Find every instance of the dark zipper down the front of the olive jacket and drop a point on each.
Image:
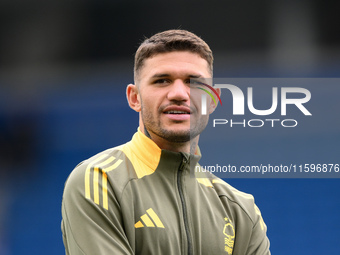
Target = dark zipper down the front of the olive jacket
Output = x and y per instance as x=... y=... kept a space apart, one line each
x=185 y=161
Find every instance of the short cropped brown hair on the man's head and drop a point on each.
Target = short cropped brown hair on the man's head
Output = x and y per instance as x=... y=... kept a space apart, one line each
x=169 y=41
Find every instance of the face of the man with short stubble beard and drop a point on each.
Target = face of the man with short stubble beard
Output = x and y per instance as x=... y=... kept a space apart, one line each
x=171 y=110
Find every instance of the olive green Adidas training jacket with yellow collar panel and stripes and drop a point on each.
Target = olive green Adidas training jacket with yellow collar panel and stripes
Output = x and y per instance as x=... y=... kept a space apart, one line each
x=139 y=199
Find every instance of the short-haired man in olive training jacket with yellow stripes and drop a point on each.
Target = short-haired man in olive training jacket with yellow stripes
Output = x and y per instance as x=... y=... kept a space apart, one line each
x=142 y=197
